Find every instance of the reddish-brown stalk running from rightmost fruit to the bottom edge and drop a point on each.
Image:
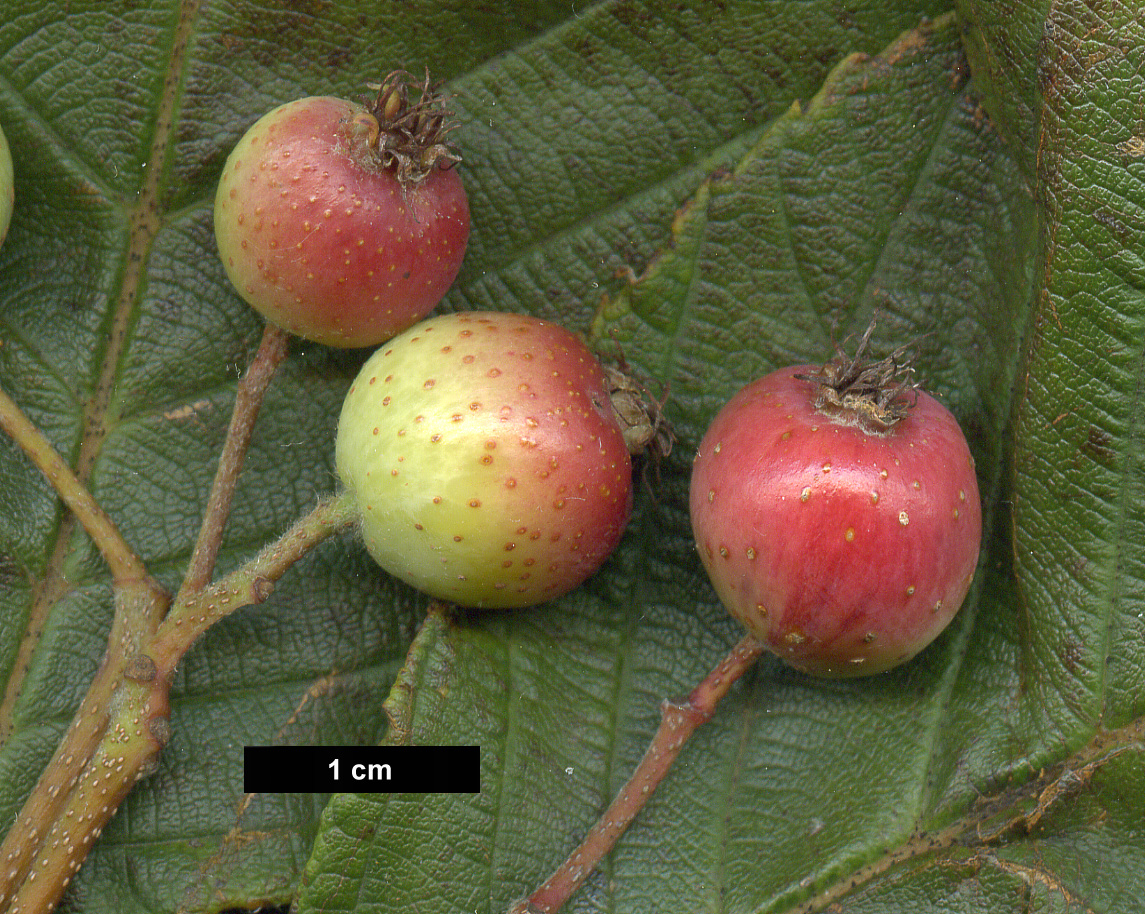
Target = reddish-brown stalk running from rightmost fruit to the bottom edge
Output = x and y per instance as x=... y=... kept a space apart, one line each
x=678 y=723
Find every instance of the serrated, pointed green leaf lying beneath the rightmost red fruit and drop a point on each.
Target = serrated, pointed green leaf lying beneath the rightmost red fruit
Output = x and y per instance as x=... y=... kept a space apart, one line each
x=891 y=191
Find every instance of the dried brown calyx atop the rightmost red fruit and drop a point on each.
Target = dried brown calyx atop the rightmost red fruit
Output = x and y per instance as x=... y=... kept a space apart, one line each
x=871 y=395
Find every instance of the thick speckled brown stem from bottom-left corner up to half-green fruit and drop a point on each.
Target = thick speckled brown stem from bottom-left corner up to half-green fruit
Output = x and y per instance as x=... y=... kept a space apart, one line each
x=122 y=724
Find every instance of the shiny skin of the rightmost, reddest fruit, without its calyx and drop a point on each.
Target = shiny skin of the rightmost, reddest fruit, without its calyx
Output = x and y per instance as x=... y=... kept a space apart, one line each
x=846 y=553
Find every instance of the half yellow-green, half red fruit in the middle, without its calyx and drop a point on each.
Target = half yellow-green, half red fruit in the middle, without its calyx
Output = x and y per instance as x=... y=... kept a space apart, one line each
x=486 y=461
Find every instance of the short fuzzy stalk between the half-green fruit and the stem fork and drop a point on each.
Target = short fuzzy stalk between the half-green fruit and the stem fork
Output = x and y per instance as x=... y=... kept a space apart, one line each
x=250 y=585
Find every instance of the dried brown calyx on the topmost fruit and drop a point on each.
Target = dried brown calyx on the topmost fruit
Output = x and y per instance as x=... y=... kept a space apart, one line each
x=409 y=136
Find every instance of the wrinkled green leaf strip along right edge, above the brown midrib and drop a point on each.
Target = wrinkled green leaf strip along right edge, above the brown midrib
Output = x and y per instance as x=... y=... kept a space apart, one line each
x=1079 y=431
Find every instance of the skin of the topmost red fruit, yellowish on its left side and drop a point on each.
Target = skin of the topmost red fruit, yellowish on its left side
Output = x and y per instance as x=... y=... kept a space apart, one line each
x=322 y=241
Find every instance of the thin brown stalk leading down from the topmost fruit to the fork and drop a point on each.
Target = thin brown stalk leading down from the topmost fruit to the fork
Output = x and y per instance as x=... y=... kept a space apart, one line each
x=252 y=389
